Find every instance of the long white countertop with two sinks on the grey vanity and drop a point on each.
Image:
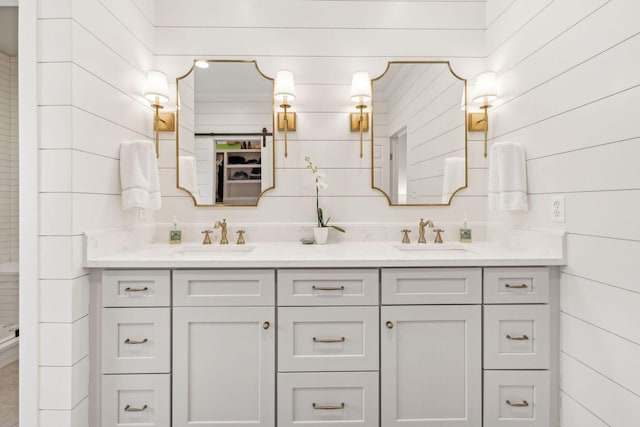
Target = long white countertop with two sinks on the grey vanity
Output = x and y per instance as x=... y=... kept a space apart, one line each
x=342 y=254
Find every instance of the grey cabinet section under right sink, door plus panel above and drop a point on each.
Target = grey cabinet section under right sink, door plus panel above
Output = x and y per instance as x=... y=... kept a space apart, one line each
x=431 y=353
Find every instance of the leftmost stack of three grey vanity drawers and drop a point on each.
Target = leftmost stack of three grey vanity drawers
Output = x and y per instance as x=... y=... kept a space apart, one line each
x=136 y=351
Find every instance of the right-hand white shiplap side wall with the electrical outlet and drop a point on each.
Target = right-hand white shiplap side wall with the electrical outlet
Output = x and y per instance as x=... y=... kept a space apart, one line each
x=569 y=73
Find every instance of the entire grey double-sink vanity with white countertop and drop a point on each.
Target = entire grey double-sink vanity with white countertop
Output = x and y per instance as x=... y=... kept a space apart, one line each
x=284 y=334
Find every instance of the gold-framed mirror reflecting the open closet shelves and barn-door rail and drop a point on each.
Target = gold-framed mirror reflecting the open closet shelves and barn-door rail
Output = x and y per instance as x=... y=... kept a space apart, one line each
x=225 y=153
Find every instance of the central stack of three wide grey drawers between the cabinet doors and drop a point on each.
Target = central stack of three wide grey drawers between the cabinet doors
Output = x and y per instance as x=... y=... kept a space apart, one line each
x=328 y=353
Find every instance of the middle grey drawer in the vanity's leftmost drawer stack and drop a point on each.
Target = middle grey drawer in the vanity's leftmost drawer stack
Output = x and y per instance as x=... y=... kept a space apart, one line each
x=136 y=340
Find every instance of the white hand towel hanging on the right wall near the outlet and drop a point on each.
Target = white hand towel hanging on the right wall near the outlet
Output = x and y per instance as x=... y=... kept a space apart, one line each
x=507 y=177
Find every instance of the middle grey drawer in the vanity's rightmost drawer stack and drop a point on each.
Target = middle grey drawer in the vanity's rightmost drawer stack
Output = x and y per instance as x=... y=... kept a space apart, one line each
x=516 y=337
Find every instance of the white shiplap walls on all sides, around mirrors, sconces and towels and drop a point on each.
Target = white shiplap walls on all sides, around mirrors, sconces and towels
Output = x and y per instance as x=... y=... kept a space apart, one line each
x=559 y=82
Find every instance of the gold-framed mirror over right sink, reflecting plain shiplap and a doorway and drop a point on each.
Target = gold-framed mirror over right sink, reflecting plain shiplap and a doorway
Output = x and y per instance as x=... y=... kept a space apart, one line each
x=419 y=138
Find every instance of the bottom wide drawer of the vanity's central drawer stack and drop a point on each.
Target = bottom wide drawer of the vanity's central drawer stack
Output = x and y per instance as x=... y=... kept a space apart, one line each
x=328 y=399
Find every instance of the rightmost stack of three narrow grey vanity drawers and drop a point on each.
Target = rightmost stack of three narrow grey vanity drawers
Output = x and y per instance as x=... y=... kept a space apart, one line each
x=517 y=347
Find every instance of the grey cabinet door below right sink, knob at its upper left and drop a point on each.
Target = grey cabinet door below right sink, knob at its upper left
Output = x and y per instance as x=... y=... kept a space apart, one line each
x=431 y=366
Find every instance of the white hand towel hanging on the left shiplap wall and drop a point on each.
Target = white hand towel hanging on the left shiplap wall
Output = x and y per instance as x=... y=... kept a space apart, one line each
x=139 y=178
